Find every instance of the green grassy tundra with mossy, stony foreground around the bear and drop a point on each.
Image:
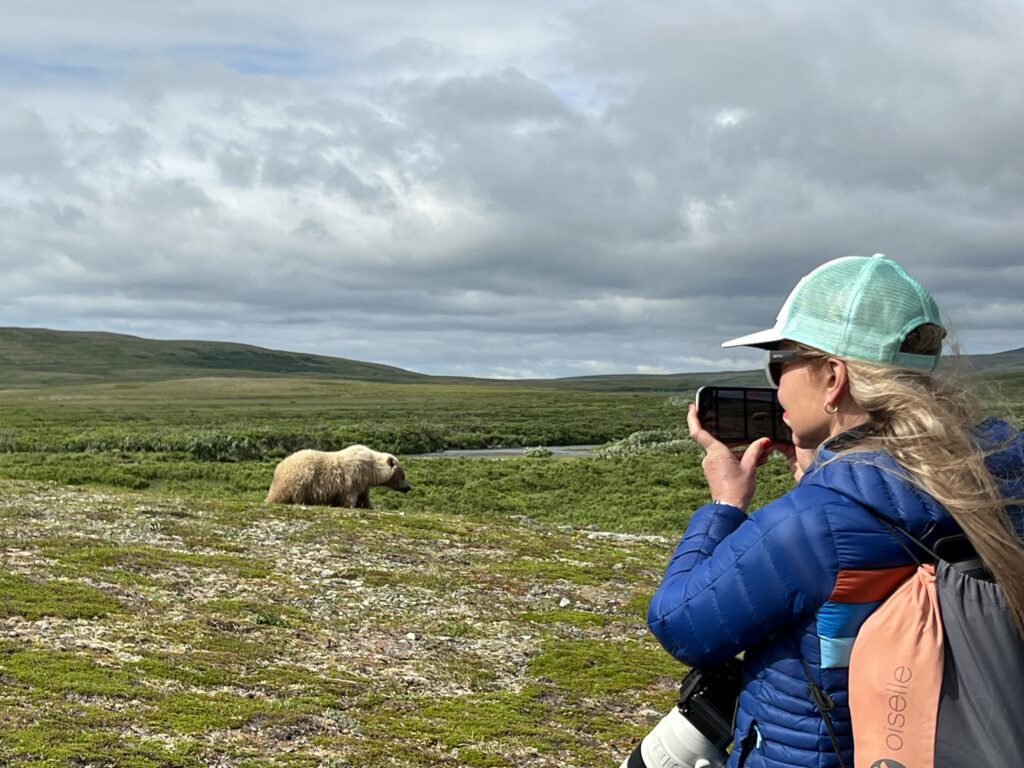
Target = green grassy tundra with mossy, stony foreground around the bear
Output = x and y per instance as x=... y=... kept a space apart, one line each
x=155 y=612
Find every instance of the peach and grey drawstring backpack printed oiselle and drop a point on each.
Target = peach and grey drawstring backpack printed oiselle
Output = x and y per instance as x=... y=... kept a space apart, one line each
x=937 y=672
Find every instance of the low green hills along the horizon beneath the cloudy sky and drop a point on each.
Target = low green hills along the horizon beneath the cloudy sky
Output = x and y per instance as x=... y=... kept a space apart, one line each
x=35 y=357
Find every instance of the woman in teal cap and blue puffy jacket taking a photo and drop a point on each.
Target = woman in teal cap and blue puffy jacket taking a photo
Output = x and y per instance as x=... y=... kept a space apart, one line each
x=877 y=437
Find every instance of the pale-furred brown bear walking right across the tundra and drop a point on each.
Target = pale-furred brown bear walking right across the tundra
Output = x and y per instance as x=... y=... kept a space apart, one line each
x=338 y=479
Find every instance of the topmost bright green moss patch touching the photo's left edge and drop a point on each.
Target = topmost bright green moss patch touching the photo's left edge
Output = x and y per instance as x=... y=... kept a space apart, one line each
x=33 y=600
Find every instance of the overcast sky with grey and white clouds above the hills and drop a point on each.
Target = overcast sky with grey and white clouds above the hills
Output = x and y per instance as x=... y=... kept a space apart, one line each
x=530 y=189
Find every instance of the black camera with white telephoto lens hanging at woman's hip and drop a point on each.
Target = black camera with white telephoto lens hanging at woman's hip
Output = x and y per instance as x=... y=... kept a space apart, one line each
x=699 y=729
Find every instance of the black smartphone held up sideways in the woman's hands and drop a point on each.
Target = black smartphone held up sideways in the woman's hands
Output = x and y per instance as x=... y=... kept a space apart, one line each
x=742 y=414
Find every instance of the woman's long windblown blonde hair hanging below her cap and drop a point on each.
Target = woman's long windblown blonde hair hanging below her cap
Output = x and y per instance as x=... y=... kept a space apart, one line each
x=925 y=422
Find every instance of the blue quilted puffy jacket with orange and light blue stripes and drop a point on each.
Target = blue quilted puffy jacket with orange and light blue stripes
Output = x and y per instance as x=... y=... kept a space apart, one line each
x=792 y=583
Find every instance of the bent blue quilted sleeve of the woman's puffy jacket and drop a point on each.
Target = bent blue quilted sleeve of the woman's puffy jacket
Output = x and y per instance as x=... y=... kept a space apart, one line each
x=735 y=580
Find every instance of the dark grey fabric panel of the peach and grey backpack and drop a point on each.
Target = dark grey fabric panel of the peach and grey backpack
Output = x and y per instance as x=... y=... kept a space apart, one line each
x=982 y=704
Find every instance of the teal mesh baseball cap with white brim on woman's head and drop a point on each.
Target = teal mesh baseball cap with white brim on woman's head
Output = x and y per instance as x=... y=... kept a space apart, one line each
x=862 y=308
